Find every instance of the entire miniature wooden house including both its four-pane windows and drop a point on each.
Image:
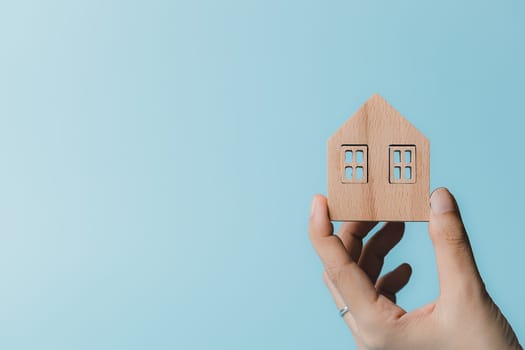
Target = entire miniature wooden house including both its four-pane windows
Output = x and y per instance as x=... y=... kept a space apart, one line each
x=378 y=167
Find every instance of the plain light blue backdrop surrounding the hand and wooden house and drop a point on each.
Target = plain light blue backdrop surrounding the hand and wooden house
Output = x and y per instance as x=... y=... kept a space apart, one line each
x=158 y=159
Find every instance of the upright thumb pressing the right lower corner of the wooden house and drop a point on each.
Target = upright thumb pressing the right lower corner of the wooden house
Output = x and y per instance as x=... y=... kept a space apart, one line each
x=457 y=269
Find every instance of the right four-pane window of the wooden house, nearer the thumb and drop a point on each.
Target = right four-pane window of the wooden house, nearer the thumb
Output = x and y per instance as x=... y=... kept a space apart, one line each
x=402 y=164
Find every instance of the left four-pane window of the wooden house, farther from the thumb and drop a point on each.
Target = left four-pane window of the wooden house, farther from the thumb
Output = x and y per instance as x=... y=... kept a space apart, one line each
x=354 y=163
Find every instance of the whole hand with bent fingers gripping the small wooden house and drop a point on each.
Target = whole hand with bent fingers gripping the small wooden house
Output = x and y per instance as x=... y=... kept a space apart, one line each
x=463 y=316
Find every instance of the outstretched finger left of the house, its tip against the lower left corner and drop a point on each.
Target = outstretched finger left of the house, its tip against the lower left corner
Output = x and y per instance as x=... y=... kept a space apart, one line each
x=353 y=284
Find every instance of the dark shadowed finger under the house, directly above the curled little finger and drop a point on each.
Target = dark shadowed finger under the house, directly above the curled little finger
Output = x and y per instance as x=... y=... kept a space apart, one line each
x=378 y=246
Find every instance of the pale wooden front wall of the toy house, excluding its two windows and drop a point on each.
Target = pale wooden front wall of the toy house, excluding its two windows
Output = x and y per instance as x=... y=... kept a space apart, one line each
x=378 y=125
